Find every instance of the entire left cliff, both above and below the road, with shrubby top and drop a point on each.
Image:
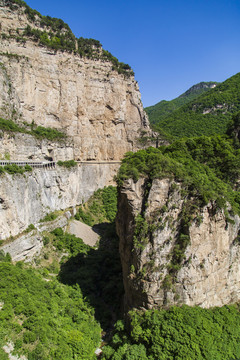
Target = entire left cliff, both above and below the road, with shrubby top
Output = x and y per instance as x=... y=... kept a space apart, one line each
x=74 y=87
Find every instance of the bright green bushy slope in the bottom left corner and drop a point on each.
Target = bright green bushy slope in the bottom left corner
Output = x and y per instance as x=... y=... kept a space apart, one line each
x=44 y=320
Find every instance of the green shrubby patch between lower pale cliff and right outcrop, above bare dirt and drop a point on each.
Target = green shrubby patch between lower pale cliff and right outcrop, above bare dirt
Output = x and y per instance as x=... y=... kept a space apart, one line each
x=102 y=206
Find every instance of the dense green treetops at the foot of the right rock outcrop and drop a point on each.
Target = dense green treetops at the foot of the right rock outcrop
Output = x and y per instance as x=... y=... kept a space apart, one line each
x=190 y=333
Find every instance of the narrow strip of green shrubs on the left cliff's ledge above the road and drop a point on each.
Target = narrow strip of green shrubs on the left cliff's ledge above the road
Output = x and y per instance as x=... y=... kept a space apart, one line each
x=37 y=131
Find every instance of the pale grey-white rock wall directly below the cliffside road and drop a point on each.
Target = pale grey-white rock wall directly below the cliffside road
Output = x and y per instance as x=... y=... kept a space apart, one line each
x=25 y=199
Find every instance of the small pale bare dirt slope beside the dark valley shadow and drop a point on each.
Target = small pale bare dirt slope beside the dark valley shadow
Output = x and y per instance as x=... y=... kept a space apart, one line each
x=83 y=231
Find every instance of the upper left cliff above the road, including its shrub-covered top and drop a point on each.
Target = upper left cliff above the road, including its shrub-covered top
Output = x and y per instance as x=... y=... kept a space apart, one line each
x=51 y=79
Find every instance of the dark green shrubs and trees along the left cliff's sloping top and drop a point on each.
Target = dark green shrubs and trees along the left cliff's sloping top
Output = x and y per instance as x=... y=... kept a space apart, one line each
x=57 y=35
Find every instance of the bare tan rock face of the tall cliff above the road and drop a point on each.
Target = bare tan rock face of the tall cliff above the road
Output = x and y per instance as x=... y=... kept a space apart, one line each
x=99 y=109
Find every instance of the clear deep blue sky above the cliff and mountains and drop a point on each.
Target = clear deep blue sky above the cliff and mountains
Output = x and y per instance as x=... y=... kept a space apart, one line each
x=170 y=44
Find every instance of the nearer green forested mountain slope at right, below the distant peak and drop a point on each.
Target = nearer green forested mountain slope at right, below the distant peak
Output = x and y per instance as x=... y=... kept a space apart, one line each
x=207 y=114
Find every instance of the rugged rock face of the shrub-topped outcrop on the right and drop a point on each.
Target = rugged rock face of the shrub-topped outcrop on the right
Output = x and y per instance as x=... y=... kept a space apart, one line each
x=165 y=263
